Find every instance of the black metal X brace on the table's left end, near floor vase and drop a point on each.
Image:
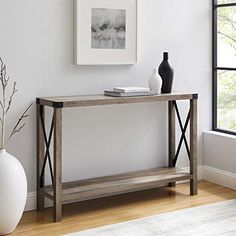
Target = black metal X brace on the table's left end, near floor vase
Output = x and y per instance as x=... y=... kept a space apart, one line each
x=47 y=153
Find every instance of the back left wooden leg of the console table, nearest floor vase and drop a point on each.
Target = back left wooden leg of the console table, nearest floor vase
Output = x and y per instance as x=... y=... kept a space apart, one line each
x=40 y=157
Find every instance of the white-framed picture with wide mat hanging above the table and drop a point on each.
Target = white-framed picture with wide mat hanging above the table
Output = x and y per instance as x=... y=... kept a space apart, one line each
x=105 y=32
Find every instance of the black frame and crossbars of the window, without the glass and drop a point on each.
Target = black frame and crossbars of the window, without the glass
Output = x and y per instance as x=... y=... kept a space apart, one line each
x=215 y=6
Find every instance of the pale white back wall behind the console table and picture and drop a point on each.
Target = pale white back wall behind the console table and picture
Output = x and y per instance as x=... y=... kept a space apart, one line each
x=36 y=42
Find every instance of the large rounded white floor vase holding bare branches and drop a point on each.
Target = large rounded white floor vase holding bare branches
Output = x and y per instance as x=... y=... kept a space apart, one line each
x=13 y=191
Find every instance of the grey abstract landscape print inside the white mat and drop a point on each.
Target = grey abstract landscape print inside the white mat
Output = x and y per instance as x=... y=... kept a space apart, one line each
x=108 y=29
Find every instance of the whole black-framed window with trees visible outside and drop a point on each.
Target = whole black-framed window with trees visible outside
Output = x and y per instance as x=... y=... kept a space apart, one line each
x=224 y=65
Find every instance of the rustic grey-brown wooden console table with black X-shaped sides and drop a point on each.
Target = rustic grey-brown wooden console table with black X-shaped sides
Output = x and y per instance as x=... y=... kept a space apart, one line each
x=62 y=193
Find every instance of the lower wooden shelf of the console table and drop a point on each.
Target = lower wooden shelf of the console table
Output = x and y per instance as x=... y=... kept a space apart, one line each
x=118 y=184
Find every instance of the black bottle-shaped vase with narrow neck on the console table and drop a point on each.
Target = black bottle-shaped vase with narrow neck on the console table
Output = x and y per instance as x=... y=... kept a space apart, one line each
x=167 y=74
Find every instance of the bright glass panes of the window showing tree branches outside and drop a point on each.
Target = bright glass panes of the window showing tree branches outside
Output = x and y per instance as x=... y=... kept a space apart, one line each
x=226 y=58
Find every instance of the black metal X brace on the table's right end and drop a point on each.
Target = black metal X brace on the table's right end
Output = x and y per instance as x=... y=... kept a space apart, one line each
x=183 y=135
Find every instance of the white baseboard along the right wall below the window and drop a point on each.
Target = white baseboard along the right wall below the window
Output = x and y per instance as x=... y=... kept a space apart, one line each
x=219 y=177
